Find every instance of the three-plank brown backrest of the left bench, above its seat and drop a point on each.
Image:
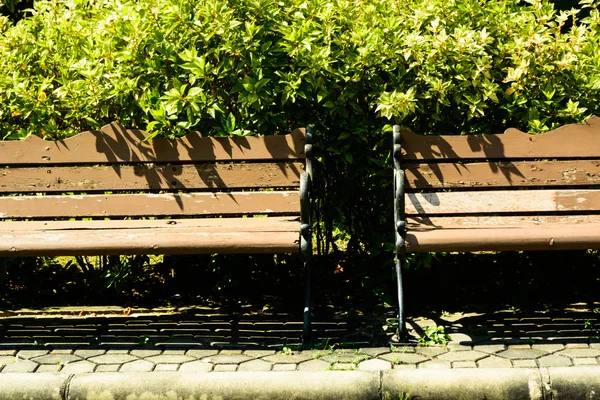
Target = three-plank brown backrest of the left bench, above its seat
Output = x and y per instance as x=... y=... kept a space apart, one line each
x=115 y=173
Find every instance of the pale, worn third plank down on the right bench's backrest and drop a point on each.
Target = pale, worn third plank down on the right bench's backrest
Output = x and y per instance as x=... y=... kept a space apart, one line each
x=505 y=201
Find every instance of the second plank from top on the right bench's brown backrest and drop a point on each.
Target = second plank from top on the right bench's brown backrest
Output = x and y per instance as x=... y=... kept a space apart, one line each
x=502 y=174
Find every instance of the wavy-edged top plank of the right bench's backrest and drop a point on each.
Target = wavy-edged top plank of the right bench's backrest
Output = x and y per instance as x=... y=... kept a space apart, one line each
x=575 y=140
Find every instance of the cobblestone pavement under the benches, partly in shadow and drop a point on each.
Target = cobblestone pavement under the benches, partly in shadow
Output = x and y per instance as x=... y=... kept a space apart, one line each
x=205 y=340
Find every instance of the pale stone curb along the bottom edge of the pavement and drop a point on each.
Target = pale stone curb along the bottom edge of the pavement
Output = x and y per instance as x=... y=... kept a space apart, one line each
x=523 y=383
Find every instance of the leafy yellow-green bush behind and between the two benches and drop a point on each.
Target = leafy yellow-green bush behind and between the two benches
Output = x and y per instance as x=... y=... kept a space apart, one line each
x=350 y=67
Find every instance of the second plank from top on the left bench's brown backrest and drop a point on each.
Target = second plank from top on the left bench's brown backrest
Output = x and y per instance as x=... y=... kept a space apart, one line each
x=149 y=177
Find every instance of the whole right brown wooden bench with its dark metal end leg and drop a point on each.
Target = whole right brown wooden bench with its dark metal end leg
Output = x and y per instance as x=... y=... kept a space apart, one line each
x=511 y=191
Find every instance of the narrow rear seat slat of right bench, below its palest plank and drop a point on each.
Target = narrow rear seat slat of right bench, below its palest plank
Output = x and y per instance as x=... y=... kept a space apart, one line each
x=423 y=223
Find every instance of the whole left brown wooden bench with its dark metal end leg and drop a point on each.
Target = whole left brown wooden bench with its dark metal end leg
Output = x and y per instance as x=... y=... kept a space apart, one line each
x=109 y=192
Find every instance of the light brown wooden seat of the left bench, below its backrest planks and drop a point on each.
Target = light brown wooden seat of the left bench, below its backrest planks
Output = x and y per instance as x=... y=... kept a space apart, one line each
x=171 y=236
